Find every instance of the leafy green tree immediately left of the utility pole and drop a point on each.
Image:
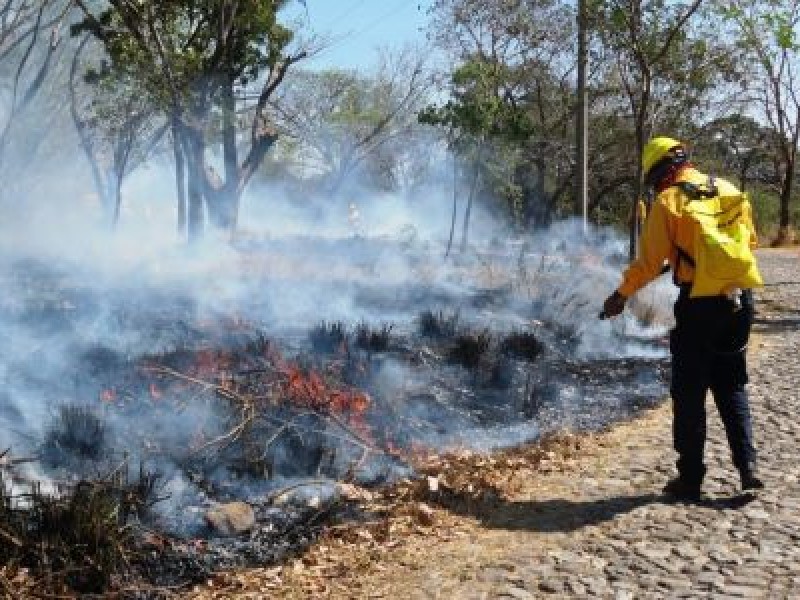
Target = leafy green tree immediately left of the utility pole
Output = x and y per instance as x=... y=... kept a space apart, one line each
x=512 y=94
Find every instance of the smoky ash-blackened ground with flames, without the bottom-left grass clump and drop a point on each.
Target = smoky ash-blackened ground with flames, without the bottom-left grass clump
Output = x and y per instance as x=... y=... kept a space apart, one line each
x=264 y=381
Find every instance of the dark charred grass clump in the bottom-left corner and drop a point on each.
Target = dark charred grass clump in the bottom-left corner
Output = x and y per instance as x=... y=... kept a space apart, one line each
x=78 y=540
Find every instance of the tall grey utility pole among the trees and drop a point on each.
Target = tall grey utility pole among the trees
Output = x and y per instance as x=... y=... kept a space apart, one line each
x=582 y=121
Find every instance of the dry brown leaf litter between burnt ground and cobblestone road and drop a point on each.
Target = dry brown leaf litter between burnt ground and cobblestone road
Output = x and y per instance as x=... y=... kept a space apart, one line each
x=448 y=500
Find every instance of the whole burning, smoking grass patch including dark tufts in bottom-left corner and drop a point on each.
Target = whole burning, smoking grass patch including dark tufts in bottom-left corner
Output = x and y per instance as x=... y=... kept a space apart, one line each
x=245 y=440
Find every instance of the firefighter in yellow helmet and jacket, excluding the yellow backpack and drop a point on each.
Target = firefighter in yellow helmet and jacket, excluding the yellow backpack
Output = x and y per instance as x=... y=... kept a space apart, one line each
x=708 y=343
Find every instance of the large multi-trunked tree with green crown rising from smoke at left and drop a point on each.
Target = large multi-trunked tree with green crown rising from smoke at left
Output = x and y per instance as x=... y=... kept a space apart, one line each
x=211 y=66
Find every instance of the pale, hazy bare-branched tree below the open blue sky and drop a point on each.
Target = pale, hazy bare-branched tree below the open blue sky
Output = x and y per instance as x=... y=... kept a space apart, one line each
x=343 y=122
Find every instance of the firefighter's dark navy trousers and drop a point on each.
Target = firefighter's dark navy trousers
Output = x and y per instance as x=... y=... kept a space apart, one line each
x=708 y=347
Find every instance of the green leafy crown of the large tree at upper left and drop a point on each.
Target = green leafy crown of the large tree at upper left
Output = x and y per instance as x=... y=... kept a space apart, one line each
x=184 y=52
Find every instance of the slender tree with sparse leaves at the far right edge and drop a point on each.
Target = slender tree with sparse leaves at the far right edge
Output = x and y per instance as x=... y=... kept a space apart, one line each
x=768 y=32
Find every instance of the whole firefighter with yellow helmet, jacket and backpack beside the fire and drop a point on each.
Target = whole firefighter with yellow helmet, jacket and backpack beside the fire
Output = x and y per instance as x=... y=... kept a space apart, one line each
x=702 y=226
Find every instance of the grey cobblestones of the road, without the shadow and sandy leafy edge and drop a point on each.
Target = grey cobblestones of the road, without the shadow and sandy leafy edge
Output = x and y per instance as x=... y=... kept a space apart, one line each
x=728 y=546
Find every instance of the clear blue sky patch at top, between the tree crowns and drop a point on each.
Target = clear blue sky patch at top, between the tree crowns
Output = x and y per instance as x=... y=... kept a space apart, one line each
x=359 y=28
